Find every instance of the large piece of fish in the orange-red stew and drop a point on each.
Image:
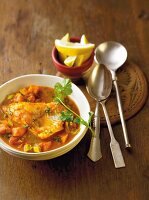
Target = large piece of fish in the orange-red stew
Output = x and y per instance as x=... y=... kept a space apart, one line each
x=42 y=119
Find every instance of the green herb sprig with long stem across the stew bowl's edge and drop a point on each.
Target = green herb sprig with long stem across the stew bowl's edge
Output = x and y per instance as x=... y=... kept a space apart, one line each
x=61 y=92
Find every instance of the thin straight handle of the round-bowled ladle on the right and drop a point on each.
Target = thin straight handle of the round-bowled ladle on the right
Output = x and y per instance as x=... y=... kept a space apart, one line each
x=127 y=144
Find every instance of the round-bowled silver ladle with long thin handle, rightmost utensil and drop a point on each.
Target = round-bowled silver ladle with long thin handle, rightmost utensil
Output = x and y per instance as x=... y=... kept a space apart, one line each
x=113 y=55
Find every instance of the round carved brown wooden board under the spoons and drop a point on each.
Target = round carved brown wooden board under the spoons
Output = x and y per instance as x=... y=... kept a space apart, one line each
x=133 y=91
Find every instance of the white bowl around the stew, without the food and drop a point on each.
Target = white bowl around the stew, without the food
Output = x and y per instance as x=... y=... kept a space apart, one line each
x=49 y=81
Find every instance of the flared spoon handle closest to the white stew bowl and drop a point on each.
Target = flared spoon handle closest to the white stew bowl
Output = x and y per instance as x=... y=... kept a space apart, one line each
x=95 y=149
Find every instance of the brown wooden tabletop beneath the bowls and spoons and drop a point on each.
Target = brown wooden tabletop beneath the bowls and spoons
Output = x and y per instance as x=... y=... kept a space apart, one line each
x=28 y=29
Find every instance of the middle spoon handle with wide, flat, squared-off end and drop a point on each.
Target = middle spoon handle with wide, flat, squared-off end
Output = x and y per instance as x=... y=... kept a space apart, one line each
x=114 y=145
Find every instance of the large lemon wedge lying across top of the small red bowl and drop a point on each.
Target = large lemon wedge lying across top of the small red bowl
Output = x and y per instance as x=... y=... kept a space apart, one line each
x=73 y=49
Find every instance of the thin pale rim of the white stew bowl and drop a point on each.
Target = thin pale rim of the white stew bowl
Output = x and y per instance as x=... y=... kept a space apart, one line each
x=68 y=145
